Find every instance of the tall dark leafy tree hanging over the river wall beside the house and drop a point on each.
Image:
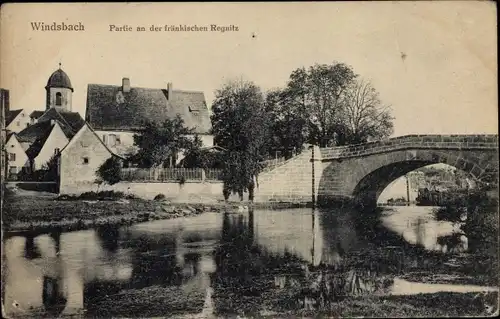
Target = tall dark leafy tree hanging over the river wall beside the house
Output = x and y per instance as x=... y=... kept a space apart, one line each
x=240 y=124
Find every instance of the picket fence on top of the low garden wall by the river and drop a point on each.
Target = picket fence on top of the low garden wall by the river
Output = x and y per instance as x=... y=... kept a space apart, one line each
x=170 y=174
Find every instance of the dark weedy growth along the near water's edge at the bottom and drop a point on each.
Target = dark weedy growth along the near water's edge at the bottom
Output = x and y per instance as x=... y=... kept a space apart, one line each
x=160 y=301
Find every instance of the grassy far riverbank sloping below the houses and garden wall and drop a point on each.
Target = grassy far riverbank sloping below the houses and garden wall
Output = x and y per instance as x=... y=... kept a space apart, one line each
x=32 y=213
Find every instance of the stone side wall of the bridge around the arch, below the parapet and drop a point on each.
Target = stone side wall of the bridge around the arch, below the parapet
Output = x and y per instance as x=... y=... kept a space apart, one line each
x=346 y=177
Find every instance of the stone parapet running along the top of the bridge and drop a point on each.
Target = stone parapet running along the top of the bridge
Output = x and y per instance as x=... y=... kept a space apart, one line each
x=469 y=142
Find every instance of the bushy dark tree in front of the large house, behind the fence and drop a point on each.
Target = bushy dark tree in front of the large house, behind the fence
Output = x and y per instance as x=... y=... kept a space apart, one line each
x=159 y=144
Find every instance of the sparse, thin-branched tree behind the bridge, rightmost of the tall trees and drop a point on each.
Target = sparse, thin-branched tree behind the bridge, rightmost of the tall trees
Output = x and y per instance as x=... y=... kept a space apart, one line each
x=363 y=116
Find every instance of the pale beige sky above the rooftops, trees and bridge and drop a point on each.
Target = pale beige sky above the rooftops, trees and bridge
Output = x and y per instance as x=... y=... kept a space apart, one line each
x=434 y=63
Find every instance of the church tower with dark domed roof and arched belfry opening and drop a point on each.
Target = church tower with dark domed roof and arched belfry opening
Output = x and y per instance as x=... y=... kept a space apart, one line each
x=59 y=91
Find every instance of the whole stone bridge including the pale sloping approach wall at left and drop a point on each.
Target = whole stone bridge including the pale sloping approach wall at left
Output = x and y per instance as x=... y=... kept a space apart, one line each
x=361 y=172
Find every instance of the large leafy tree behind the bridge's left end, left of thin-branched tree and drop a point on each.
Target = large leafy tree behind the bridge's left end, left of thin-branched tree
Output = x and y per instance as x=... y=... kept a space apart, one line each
x=316 y=95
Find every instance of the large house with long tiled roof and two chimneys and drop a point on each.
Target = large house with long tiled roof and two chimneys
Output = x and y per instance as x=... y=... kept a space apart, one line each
x=117 y=112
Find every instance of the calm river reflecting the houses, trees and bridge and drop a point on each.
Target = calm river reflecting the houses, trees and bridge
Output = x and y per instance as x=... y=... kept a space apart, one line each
x=214 y=263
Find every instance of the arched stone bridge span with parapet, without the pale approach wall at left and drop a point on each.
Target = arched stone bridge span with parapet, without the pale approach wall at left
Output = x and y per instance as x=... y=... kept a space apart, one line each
x=362 y=172
